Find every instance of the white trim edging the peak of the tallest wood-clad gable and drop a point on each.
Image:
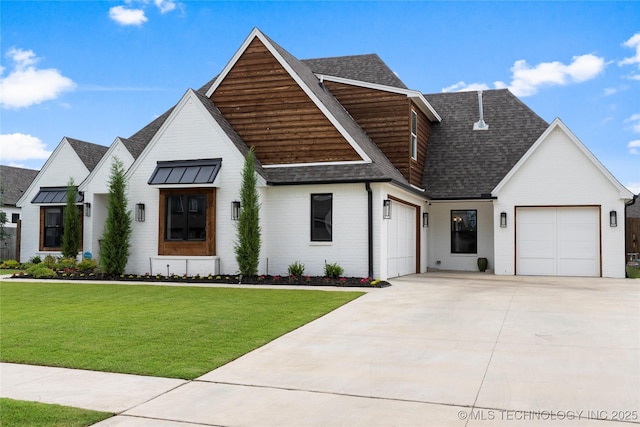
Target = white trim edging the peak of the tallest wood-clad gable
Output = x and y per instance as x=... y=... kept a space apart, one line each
x=257 y=33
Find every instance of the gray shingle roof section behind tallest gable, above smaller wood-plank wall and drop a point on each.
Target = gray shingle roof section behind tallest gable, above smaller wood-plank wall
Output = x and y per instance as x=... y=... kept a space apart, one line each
x=366 y=68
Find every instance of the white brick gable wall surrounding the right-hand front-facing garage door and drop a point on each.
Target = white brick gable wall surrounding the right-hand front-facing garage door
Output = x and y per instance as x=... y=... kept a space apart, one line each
x=559 y=173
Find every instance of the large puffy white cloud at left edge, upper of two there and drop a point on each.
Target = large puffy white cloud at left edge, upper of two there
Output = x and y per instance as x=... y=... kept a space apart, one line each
x=27 y=85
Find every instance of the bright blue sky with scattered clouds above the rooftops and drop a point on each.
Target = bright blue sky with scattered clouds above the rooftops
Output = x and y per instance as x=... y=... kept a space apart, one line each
x=95 y=70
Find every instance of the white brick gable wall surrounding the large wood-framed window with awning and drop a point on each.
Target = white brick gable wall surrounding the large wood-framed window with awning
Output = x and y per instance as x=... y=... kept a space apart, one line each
x=190 y=133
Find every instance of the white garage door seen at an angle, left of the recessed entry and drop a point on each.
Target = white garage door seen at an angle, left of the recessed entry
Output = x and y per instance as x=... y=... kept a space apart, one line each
x=401 y=249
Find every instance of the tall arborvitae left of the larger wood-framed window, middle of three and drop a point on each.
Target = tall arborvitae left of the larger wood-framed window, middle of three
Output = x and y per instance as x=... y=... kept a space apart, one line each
x=115 y=245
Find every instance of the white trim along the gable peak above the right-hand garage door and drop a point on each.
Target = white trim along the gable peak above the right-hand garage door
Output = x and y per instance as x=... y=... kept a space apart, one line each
x=557 y=123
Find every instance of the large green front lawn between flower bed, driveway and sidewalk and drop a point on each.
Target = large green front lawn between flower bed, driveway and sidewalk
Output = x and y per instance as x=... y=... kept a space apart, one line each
x=176 y=332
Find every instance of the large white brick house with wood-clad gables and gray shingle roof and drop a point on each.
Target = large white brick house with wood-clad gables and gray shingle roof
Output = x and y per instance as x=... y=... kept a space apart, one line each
x=356 y=168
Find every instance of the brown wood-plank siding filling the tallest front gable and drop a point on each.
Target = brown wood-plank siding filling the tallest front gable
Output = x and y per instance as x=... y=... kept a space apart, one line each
x=271 y=112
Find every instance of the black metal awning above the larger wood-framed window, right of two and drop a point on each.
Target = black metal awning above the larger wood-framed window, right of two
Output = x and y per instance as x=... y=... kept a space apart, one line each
x=186 y=172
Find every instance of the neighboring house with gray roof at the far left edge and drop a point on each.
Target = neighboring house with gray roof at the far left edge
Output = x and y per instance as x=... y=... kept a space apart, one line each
x=13 y=182
